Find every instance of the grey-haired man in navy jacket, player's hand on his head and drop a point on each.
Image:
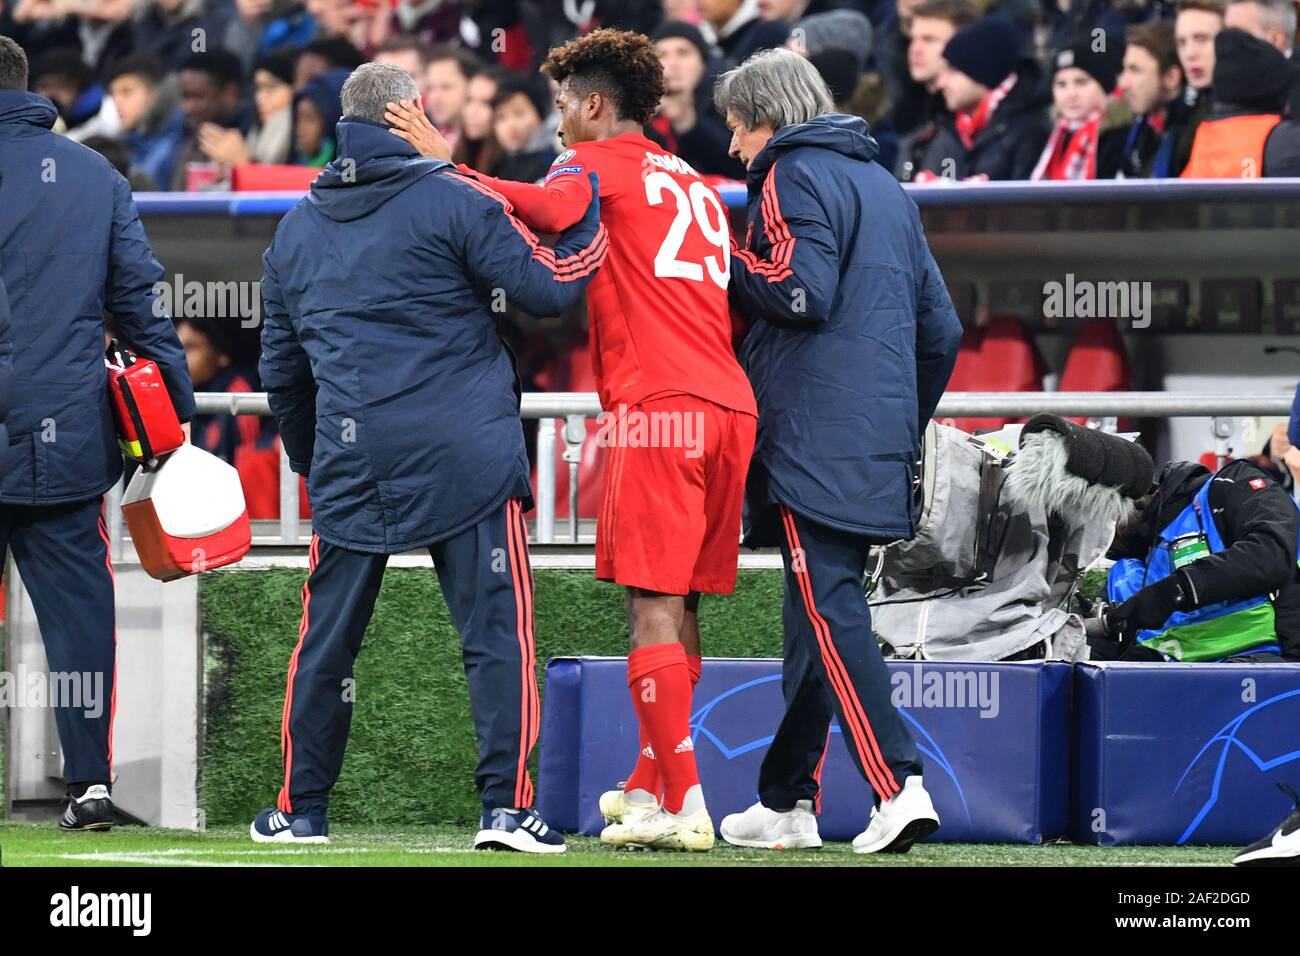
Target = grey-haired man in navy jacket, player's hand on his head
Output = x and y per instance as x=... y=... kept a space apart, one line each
x=398 y=401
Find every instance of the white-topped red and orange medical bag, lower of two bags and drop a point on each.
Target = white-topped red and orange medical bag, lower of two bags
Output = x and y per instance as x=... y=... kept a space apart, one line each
x=188 y=514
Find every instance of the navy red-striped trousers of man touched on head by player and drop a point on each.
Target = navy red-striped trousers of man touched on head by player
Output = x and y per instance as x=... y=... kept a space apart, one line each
x=488 y=583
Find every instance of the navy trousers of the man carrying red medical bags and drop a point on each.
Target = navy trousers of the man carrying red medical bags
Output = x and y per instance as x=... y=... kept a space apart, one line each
x=62 y=552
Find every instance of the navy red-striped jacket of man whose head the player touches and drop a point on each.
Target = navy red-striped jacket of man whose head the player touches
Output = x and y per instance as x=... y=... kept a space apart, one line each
x=392 y=388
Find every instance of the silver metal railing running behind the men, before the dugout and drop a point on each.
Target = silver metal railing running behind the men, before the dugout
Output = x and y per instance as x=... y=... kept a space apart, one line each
x=577 y=408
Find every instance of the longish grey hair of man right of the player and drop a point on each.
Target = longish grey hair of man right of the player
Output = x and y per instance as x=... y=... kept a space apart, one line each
x=777 y=88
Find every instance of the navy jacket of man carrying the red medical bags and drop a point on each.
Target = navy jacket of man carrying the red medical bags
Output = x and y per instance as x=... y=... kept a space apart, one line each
x=72 y=253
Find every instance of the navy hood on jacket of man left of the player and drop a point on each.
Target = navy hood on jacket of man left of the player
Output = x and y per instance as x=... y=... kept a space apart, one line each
x=371 y=168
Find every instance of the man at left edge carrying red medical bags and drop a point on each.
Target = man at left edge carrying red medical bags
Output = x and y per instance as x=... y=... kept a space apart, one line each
x=72 y=248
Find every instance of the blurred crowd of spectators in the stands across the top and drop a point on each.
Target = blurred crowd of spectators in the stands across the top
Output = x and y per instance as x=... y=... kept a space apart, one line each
x=179 y=93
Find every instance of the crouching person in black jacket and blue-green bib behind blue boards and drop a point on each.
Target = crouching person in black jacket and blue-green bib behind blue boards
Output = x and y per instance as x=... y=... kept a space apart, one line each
x=1207 y=570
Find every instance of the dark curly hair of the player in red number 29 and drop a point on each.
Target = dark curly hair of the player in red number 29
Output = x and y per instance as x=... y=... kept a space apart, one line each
x=619 y=64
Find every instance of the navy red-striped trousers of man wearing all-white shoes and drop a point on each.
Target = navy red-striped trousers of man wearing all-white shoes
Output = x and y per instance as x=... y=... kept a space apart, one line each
x=833 y=668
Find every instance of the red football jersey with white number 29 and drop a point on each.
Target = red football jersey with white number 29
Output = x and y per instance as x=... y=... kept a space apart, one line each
x=657 y=309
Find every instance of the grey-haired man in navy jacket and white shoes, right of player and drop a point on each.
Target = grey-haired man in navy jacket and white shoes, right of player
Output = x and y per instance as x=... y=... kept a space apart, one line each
x=852 y=344
